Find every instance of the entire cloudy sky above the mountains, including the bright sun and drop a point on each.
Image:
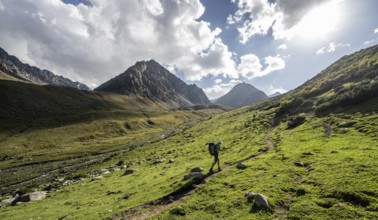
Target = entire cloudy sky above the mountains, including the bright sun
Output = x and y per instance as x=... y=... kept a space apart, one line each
x=275 y=45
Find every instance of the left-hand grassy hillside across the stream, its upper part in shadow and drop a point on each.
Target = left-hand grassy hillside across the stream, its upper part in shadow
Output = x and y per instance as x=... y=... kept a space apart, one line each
x=46 y=129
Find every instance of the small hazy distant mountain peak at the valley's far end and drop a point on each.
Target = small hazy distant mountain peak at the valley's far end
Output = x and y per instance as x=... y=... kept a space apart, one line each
x=242 y=94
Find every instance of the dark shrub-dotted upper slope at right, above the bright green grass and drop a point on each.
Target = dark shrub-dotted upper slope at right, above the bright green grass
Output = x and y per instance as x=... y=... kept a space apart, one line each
x=349 y=81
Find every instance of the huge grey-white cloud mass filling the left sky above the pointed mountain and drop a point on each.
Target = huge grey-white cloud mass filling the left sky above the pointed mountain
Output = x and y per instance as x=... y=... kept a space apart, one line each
x=92 y=43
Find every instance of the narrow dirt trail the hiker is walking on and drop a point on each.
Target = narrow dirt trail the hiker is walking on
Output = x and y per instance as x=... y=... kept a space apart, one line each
x=160 y=205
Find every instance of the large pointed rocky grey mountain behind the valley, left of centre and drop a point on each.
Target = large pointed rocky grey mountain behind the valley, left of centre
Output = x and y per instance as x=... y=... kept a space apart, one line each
x=149 y=79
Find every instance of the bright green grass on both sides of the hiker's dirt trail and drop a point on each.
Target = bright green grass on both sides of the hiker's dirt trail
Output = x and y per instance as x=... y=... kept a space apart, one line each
x=339 y=181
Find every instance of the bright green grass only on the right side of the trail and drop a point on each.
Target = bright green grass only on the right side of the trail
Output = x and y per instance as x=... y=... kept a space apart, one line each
x=340 y=180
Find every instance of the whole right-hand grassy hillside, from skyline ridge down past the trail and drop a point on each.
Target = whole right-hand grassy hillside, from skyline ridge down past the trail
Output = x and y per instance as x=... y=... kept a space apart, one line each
x=309 y=163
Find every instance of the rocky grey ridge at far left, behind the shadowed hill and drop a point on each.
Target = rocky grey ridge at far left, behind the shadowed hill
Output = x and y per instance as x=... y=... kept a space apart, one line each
x=12 y=66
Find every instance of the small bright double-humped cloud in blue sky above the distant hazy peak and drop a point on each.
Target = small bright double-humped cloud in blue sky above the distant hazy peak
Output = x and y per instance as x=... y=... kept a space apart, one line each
x=250 y=66
